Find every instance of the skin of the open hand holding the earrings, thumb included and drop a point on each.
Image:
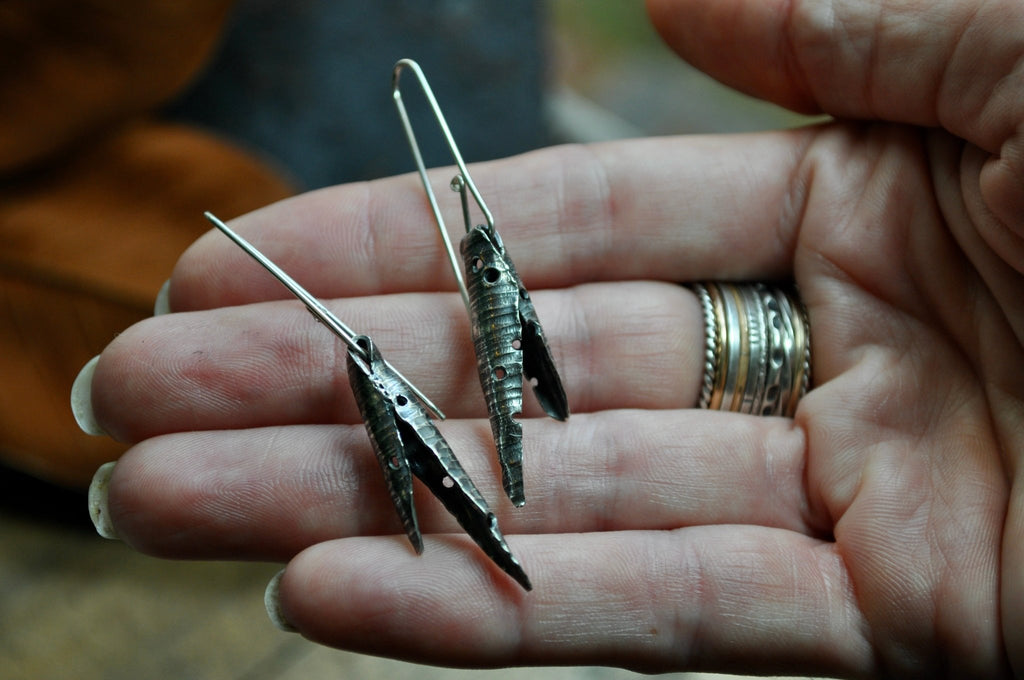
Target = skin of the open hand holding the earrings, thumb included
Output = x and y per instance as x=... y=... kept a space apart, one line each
x=880 y=533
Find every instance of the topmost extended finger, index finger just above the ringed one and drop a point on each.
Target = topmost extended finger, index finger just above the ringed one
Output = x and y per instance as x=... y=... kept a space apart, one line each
x=671 y=210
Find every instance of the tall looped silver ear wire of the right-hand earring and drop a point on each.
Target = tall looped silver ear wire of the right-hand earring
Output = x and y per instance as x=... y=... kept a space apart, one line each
x=461 y=183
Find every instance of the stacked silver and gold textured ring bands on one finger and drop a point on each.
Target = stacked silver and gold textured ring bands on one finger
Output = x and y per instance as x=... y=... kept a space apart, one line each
x=758 y=349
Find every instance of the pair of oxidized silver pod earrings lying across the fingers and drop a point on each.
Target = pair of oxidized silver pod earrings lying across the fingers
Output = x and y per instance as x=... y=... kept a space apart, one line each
x=510 y=347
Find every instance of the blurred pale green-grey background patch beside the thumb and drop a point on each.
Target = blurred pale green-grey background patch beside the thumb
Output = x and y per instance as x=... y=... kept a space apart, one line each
x=611 y=75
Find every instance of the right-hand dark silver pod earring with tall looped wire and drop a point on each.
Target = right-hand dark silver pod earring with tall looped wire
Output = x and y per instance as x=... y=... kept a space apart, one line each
x=507 y=336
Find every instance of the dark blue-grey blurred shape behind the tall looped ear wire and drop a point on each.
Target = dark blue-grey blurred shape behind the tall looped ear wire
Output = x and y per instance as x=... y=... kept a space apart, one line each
x=307 y=83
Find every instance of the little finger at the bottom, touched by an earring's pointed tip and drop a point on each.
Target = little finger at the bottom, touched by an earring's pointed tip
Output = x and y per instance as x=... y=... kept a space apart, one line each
x=703 y=599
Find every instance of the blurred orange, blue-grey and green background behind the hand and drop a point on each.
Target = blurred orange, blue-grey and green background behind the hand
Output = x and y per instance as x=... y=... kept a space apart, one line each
x=118 y=127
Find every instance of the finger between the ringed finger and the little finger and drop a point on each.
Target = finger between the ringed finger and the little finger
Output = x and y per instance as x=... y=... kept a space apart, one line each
x=269 y=493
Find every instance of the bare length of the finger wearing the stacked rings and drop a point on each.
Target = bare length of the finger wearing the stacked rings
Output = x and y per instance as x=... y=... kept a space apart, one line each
x=626 y=346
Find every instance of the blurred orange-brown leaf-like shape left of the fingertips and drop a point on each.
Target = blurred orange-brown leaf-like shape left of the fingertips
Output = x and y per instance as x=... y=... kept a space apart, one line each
x=97 y=199
